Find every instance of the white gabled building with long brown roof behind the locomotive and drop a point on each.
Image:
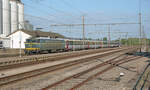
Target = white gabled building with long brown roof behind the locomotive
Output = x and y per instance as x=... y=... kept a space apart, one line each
x=22 y=35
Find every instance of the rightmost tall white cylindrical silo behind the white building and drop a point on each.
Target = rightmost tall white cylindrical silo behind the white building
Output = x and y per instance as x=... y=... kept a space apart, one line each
x=21 y=15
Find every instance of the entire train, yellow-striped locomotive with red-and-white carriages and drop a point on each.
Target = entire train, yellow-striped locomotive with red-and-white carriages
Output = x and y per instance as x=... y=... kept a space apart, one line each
x=39 y=45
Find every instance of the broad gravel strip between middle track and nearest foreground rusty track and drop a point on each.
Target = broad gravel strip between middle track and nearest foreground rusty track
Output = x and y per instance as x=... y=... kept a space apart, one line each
x=42 y=81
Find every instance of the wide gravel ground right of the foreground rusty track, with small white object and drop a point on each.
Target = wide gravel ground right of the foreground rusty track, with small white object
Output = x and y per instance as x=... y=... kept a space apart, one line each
x=108 y=81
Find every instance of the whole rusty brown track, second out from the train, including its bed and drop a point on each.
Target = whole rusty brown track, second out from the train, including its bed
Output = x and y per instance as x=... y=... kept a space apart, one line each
x=22 y=76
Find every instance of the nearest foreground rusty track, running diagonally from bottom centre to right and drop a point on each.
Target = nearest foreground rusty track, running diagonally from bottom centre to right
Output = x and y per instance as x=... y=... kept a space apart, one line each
x=82 y=79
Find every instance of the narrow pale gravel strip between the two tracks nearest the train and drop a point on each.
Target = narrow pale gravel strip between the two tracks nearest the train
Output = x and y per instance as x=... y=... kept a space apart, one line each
x=43 y=65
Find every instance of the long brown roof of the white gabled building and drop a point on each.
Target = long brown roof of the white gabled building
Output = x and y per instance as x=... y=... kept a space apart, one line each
x=39 y=33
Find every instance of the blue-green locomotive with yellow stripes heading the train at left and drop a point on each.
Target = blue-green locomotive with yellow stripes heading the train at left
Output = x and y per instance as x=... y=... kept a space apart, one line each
x=39 y=45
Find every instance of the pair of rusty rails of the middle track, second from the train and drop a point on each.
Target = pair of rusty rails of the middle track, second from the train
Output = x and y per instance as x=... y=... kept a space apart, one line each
x=52 y=68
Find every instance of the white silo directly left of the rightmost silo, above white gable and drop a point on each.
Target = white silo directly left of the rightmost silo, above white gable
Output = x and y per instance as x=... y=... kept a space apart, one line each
x=14 y=15
